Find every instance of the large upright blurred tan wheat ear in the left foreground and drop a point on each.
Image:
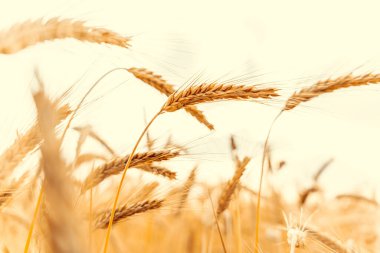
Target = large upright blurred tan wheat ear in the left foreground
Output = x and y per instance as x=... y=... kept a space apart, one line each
x=61 y=227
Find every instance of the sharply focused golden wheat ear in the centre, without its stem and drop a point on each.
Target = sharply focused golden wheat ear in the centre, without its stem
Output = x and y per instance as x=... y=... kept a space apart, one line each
x=215 y=92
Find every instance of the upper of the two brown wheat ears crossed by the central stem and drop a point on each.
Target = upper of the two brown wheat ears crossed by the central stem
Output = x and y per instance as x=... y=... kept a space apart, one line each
x=116 y=166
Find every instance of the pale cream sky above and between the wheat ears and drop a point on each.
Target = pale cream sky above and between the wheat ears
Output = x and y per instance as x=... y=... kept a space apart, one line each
x=287 y=43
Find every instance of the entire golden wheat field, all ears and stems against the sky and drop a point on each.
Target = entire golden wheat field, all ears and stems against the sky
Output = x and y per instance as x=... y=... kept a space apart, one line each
x=142 y=200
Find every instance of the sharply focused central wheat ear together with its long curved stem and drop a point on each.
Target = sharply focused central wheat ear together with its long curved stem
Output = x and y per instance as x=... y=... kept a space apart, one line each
x=191 y=96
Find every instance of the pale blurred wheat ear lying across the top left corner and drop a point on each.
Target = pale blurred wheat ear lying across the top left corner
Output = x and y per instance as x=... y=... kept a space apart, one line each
x=30 y=33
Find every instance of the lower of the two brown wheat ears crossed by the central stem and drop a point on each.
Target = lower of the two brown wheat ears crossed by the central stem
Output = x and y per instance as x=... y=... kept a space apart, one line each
x=126 y=211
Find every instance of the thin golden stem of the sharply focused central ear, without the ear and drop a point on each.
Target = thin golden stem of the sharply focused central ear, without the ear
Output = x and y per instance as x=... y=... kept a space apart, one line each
x=122 y=180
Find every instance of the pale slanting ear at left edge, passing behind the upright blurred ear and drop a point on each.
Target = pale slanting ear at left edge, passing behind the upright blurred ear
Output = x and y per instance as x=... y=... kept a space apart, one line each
x=26 y=143
